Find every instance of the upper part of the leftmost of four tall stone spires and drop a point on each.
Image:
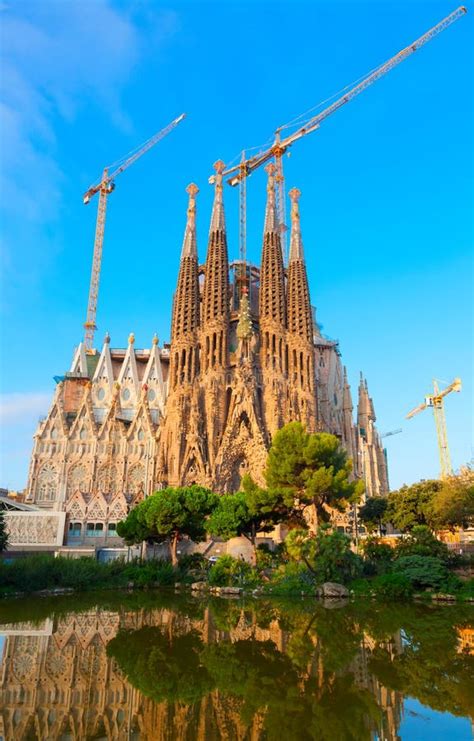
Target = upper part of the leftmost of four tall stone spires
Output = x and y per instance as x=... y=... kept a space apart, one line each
x=184 y=362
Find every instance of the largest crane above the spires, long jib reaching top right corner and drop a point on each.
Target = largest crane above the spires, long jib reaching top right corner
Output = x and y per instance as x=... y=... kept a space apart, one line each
x=277 y=149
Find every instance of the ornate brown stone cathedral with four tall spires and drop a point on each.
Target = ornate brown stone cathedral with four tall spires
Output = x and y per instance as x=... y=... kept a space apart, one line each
x=246 y=356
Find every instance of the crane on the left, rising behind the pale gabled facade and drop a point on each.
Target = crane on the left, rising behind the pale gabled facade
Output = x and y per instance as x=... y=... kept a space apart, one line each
x=104 y=187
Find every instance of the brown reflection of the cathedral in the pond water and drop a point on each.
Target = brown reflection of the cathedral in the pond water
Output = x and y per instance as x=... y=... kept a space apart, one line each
x=58 y=682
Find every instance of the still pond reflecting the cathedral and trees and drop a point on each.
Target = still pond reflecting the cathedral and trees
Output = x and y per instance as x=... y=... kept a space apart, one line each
x=153 y=666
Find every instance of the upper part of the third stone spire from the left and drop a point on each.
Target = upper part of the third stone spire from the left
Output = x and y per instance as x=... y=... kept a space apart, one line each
x=272 y=276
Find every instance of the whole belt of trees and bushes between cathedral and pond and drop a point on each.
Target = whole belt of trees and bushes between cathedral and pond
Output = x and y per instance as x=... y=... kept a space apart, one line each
x=307 y=476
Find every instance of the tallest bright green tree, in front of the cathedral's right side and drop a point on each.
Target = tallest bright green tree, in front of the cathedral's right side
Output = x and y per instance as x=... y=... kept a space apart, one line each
x=310 y=469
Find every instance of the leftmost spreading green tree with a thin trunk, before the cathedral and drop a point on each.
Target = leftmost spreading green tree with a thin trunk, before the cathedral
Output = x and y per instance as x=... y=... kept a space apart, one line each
x=169 y=515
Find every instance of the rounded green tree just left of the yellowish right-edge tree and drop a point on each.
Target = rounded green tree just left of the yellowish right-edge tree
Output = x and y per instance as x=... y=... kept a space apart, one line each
x=412 y=505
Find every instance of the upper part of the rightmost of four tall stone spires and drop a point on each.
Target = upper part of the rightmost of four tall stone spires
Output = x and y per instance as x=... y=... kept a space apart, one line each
x=300 y=317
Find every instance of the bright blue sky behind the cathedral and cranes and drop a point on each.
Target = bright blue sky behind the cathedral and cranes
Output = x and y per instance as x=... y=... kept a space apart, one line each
x=386 y=183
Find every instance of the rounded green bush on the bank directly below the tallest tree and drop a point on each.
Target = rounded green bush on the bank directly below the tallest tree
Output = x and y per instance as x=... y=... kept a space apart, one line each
x=327 y=554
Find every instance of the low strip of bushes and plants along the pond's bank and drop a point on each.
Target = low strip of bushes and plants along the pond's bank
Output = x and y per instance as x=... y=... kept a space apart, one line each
x=321 y=565
